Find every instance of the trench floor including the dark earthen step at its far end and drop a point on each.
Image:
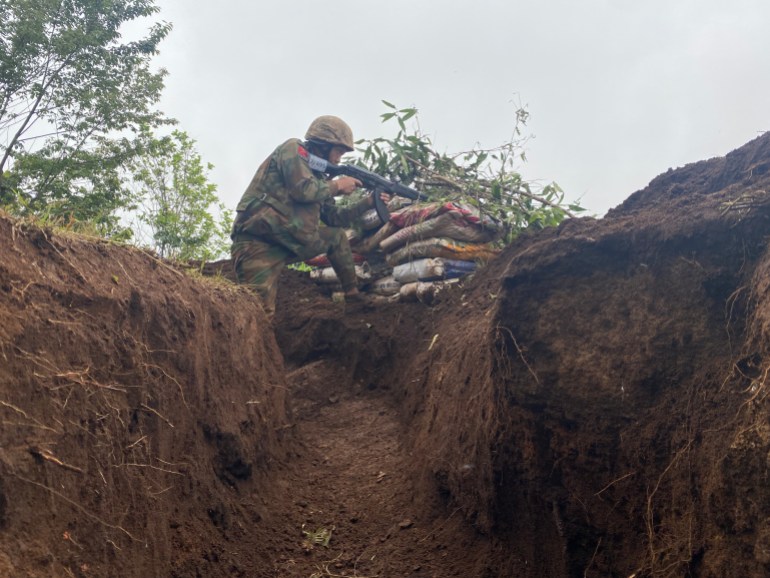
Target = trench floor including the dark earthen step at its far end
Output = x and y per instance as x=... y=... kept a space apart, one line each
x=357 y=479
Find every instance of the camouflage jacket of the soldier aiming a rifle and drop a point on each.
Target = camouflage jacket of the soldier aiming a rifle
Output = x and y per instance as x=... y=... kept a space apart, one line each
x=299 y=199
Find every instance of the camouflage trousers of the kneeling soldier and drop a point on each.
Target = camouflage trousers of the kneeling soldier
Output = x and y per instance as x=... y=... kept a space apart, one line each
x=258 y=262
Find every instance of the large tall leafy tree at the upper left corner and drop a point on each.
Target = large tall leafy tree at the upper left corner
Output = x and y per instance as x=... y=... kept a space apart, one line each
x=68 y=85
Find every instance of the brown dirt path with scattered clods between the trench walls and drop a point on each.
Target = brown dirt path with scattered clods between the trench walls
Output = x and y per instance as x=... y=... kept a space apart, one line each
x=349 y=483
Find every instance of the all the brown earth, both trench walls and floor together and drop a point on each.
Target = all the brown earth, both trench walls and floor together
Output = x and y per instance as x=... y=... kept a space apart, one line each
x=591 y=403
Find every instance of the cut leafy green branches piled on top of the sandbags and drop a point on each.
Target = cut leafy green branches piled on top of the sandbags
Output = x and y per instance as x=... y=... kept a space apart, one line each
x=484 y=178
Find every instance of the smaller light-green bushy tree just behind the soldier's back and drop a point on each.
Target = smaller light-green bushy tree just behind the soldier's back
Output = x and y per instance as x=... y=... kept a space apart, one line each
x=175 y=199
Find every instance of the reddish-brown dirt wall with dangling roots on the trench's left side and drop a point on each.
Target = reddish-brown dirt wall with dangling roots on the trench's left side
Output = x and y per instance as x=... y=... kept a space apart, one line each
x=140 y=411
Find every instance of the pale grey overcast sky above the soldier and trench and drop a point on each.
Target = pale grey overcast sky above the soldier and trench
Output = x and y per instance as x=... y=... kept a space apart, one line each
x=618 y=90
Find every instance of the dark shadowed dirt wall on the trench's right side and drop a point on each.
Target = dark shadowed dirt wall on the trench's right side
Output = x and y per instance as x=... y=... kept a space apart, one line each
x=611 y=419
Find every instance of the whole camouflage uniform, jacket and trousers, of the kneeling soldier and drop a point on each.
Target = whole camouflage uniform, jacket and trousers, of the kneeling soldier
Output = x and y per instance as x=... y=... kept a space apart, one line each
x=287 y=215
